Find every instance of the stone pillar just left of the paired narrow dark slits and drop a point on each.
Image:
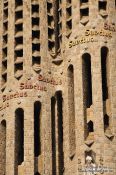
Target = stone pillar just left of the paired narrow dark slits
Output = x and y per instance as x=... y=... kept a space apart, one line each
x=47 y=145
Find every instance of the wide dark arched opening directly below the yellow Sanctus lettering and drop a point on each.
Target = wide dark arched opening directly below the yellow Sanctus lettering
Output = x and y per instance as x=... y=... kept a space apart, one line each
x=87 y=80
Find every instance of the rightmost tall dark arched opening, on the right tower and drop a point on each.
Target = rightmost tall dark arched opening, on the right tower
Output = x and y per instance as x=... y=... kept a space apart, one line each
x=104 y=55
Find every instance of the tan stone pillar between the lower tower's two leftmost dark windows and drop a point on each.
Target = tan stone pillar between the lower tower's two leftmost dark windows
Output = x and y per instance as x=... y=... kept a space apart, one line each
x=10 y=144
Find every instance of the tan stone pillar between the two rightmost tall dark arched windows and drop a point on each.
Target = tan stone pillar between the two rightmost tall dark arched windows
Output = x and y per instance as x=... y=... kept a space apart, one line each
x=97 y=101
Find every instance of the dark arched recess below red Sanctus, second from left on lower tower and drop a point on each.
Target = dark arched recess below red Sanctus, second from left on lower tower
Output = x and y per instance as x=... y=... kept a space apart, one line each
x=19 y=135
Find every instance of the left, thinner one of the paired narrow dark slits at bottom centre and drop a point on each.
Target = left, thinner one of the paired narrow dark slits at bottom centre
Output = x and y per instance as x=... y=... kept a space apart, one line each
x=53 y=131
